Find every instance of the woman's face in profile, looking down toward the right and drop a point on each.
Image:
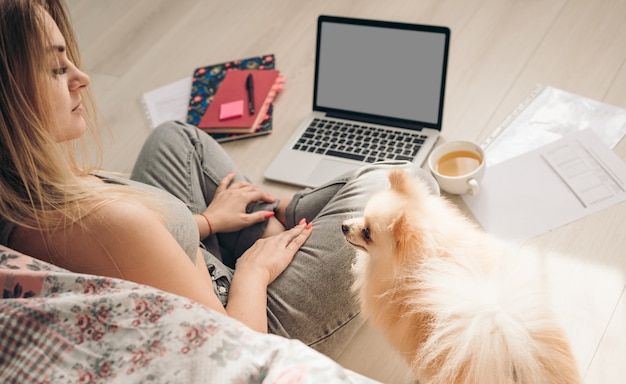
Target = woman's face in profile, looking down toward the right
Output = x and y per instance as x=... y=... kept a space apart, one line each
x=65 y=82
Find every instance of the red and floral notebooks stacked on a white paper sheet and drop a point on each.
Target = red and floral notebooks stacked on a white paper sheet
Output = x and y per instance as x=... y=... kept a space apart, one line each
x=190 y=99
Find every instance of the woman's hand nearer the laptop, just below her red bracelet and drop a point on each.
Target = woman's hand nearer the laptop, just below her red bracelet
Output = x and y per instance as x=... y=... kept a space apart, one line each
x=227 y=210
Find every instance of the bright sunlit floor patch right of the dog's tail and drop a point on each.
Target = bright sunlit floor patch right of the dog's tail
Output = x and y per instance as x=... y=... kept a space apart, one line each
x=584 y=295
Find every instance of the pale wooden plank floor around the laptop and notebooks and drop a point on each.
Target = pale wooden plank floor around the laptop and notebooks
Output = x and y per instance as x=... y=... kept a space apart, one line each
x=500 y=51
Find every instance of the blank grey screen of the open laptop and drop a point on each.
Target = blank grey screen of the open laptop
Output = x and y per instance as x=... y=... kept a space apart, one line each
x=387 y=72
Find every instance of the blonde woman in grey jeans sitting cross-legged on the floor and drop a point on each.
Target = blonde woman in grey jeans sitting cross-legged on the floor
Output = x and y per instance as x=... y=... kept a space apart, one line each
x=293 y=282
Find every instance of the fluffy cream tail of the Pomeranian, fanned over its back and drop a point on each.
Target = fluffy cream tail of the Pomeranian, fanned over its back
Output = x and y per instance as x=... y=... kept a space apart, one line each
x=488 y=329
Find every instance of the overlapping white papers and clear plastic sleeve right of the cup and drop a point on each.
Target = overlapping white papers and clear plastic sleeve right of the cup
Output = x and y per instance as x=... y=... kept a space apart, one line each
x=550 y=163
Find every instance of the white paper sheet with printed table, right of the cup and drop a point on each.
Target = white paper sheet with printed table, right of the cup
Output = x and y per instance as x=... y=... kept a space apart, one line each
x=546 y=188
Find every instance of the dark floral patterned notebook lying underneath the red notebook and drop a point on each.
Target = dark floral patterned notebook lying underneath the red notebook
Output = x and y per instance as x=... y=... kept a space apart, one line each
x=205 y=83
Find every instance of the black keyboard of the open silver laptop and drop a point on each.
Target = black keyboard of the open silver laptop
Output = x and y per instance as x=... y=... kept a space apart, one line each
x=358 y=141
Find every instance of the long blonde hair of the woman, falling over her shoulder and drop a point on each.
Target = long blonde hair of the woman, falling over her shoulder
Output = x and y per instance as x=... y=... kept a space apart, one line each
x=41 y=181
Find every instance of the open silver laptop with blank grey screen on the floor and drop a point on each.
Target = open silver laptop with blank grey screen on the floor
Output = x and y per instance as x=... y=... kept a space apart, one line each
x=379 y=87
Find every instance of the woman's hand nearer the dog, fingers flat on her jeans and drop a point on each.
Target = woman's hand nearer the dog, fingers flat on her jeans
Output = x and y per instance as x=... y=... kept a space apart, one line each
x=269 y=257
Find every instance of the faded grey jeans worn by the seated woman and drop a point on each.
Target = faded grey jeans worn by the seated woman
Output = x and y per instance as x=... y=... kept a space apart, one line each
x=311 y=300
